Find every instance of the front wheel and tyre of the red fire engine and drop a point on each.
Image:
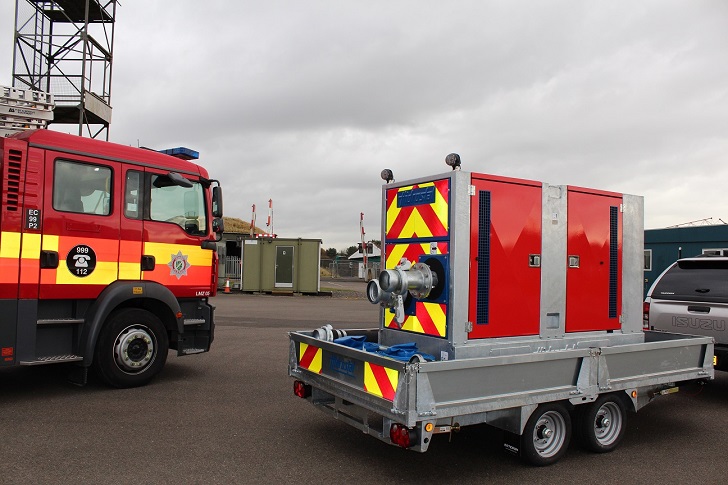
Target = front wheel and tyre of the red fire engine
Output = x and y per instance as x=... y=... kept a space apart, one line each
x=131 y=349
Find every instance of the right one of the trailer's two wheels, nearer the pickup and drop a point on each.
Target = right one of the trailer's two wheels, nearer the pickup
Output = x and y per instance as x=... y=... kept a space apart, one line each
x=601 y=424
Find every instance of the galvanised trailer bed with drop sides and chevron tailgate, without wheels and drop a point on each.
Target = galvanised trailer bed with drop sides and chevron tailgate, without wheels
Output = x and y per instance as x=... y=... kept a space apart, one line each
x=366 y=389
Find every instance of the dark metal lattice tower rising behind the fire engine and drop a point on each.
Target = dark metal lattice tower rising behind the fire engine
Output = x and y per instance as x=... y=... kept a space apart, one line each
x=65 y=47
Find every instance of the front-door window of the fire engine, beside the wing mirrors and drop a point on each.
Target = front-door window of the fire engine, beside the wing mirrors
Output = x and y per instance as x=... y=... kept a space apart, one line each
x=184 y=206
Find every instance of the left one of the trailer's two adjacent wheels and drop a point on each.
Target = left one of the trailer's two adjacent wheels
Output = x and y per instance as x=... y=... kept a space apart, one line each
x=546 y=435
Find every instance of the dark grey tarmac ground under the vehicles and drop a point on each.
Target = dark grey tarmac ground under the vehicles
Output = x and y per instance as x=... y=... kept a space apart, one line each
x=230 y=416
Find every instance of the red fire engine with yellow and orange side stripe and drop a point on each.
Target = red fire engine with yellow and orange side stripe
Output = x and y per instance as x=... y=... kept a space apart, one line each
x=107 y=256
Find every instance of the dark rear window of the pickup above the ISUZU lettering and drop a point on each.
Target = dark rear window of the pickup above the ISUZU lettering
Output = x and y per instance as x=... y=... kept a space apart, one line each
x=695 y=280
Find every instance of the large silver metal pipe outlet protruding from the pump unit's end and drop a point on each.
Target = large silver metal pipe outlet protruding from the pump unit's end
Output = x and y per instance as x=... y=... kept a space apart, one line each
x=393 y=285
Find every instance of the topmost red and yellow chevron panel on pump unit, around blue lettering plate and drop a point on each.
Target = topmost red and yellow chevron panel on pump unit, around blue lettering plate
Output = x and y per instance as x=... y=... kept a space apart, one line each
x=426 y=220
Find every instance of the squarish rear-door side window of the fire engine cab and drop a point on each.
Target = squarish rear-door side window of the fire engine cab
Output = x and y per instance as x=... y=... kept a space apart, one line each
x=81 y=187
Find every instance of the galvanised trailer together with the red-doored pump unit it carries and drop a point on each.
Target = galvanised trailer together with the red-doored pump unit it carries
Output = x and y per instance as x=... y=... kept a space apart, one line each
x=504 y=301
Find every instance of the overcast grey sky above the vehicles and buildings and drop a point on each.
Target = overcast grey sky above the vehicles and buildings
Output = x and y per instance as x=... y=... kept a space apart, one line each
x=305 y=102
